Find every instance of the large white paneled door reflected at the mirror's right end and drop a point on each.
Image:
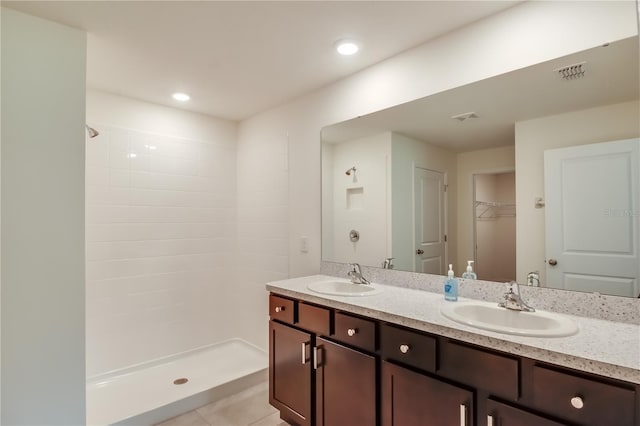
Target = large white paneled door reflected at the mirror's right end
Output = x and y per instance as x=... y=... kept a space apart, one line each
x=593 y=216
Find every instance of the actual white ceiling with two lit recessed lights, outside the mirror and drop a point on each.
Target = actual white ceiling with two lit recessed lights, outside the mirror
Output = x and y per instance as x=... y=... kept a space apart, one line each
x=238 y=58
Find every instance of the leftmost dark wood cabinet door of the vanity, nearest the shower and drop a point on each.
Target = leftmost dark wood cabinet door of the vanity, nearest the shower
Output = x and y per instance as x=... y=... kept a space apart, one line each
x=290 y=373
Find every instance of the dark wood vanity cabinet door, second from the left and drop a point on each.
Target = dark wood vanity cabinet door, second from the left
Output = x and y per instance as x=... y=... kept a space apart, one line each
x=345 y=386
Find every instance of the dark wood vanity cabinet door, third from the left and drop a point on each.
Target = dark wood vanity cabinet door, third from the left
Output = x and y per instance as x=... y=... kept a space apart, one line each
x=413 y=399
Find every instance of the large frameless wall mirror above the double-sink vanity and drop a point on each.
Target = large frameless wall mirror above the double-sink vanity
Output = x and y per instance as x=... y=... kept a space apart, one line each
x=532 y=175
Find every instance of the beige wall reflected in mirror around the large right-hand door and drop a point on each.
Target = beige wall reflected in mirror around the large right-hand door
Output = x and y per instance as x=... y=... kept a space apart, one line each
x=533 y=137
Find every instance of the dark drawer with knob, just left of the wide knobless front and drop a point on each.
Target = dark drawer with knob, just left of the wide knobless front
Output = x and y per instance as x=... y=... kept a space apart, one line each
x=408 y=347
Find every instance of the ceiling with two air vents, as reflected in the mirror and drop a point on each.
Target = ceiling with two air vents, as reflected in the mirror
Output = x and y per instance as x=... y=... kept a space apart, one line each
x=611 y=76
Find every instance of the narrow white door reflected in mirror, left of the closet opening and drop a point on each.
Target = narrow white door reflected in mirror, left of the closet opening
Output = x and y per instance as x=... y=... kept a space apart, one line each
x=429 y=221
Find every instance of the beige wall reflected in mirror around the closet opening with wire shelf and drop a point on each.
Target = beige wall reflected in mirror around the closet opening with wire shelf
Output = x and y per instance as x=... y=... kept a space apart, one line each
x=491 y=160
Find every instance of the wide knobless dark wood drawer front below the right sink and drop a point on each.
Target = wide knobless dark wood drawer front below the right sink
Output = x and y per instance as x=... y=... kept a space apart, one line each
x=482 y=369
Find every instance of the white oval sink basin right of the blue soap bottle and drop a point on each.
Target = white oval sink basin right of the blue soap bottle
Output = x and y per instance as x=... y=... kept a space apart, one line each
x=489 y=316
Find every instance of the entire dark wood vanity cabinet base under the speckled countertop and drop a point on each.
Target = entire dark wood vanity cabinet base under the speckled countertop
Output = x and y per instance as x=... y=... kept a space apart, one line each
x=334 y=368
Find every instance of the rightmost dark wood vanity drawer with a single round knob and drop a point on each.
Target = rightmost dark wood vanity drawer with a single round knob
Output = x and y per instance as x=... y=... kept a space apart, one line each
x=582 y=400
